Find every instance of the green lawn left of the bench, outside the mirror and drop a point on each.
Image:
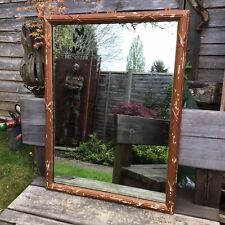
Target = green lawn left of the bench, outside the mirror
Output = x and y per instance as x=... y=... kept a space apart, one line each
x=17 y=170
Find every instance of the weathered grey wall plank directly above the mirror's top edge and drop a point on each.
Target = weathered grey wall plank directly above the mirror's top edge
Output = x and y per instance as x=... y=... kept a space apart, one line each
x=117 y=5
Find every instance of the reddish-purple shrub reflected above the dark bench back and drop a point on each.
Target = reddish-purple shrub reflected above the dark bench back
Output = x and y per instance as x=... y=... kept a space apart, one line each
x=134 y=109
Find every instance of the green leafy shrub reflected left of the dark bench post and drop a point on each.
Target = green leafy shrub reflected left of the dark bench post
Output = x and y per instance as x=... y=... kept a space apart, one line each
x=94 y=151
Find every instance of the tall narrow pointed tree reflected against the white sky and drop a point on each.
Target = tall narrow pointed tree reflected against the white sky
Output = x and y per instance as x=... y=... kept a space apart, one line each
x=135 y=58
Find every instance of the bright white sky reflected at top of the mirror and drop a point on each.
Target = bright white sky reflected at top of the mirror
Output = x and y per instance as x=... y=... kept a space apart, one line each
x=159 y=43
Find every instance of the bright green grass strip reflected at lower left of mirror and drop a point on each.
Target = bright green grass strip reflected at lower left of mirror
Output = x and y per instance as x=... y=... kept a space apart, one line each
x=64 y=169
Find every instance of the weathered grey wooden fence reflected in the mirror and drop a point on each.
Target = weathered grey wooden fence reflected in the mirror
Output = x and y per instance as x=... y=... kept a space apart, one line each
x=113 y=89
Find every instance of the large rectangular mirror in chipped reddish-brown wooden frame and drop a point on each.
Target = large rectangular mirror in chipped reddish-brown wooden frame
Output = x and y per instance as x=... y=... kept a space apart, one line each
x=113 y=104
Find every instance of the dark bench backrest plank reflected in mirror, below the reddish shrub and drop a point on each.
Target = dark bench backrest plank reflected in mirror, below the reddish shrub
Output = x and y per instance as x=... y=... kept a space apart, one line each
x=139 y=130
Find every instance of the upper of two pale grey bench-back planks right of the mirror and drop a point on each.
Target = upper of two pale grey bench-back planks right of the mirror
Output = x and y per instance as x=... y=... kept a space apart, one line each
x=203 y=123
